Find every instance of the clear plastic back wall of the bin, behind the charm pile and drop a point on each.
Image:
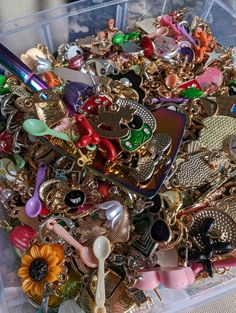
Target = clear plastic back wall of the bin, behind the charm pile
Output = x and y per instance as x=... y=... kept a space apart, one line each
x=86 y=17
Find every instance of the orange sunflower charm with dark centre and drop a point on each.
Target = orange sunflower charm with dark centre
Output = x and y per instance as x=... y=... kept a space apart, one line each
x=40 y=265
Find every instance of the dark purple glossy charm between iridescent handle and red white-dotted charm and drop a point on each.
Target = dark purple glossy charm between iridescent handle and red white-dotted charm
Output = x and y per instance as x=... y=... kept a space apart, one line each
x=75 y=94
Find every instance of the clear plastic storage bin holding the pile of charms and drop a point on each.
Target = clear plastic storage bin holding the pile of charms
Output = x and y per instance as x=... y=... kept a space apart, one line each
x=65 y=23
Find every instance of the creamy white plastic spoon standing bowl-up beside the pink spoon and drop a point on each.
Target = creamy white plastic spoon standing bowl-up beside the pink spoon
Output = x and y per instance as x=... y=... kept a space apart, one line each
x=101 y=249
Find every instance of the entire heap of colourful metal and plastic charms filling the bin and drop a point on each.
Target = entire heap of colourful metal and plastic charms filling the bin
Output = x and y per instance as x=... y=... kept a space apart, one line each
x=116 y=150
